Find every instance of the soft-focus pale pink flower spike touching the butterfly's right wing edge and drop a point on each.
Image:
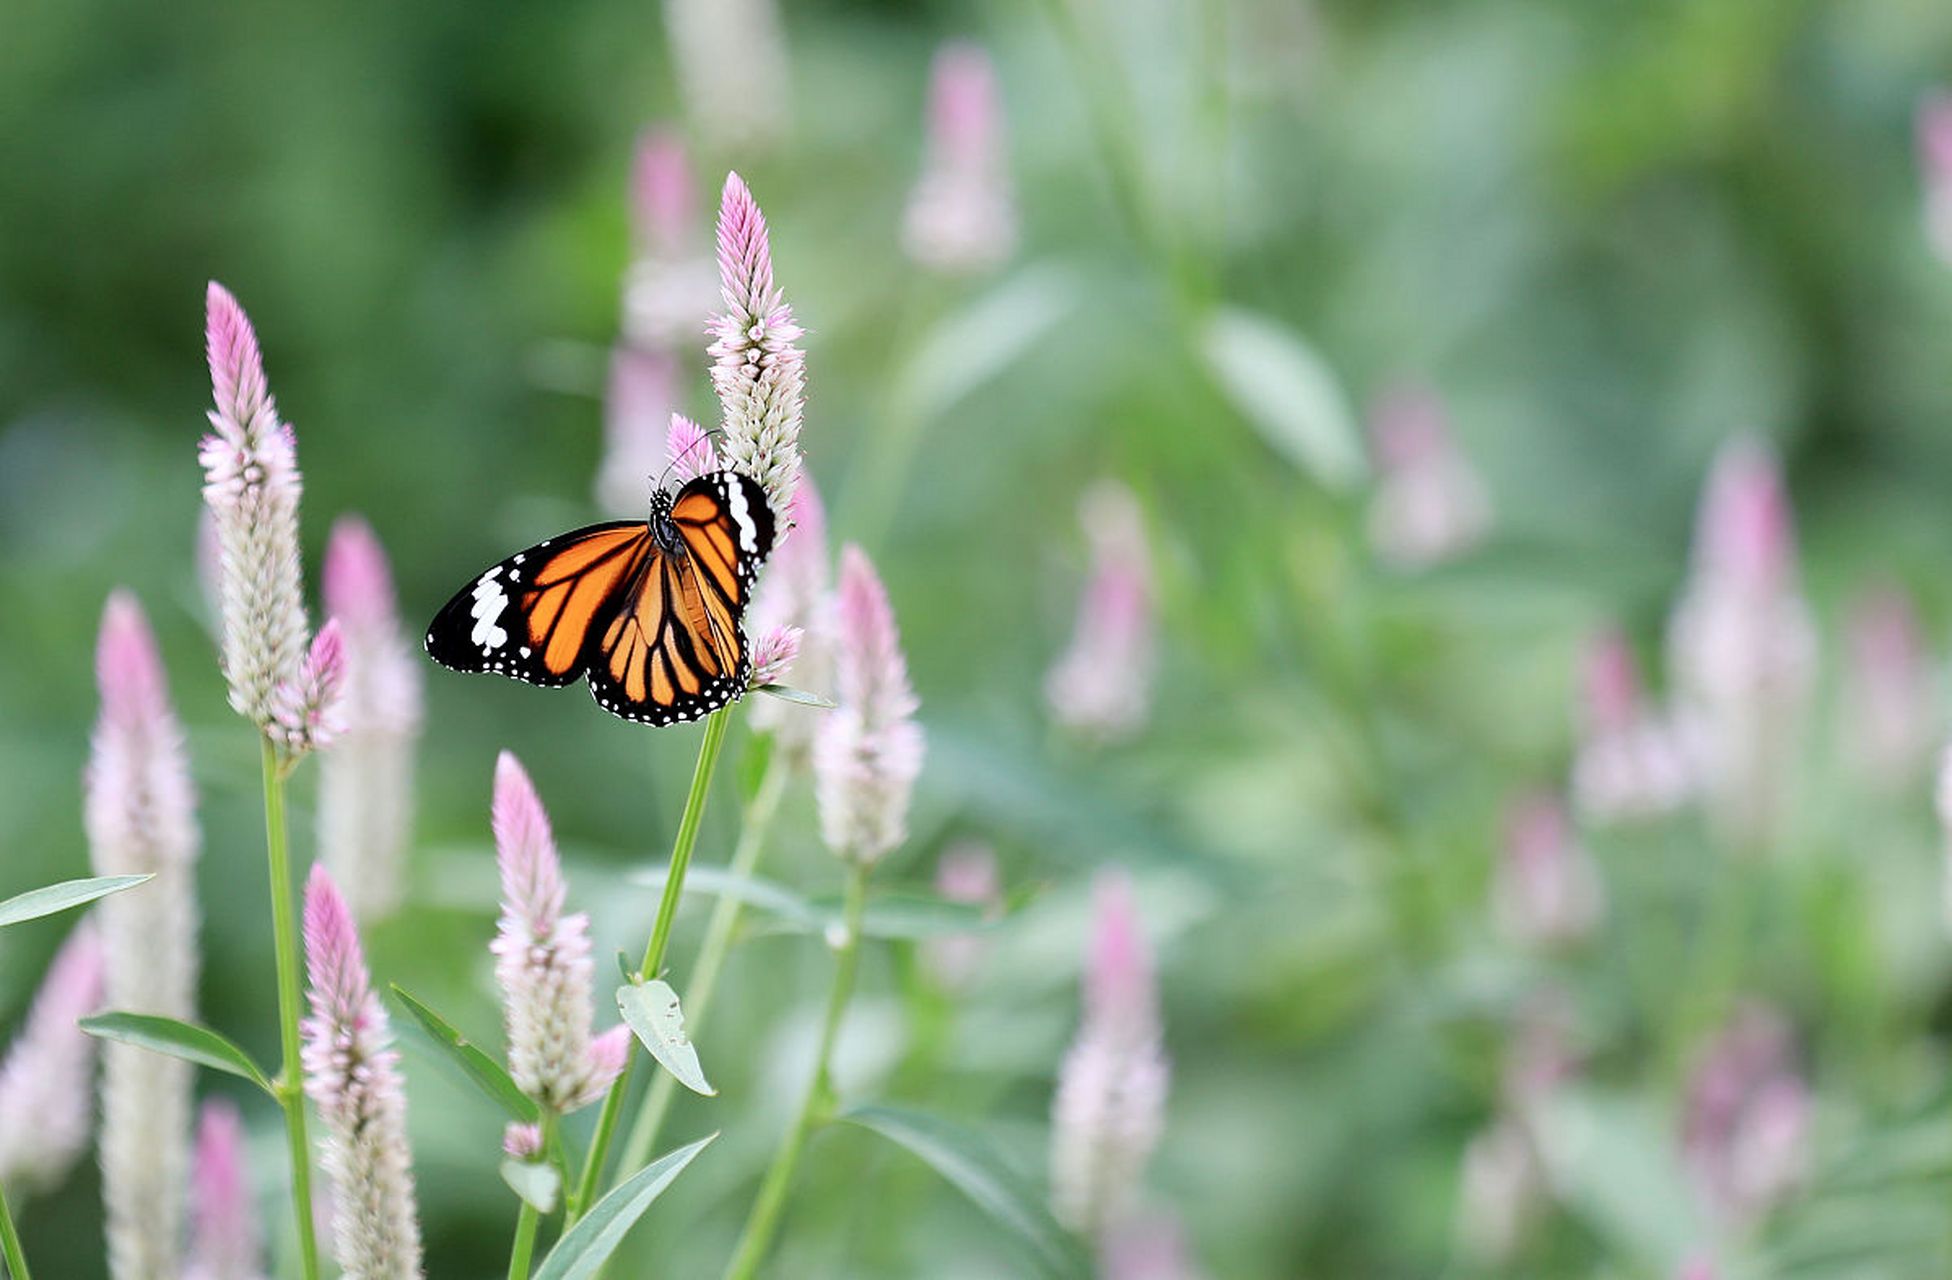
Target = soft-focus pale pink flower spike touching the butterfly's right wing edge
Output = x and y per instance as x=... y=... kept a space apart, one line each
x=793 y=592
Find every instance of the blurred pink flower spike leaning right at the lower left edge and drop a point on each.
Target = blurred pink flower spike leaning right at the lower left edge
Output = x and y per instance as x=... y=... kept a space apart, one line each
x=46 y=1082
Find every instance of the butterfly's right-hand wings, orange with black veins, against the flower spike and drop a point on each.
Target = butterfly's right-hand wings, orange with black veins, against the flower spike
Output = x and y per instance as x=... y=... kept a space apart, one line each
x=678 y=649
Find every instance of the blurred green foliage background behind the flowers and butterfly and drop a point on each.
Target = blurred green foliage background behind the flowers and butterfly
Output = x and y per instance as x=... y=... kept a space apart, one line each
x=1606 y=237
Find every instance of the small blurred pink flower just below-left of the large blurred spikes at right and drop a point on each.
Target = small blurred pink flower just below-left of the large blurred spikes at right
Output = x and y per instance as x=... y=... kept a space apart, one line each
x=1547 y=889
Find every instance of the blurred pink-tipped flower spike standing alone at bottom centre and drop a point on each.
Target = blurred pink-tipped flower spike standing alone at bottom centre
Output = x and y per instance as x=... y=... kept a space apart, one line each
x=1112 y=1090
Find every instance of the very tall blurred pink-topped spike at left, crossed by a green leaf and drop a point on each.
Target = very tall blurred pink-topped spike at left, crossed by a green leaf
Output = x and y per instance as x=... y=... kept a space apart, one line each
x=142 y=820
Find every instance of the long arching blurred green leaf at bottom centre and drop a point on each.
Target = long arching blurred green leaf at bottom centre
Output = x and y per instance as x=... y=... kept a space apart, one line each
x=981 y=1174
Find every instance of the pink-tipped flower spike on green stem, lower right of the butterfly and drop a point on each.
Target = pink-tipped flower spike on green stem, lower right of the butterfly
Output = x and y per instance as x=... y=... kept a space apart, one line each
x=870 y=748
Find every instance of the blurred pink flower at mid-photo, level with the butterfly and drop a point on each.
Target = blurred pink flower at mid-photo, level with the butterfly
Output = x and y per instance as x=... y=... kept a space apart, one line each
x=1102 y=686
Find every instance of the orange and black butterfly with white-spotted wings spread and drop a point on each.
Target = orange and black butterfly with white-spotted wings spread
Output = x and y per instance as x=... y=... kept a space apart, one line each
x=651 y=612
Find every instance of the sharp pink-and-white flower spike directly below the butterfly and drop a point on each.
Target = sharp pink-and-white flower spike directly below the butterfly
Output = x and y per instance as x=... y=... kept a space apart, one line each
x=544 y=959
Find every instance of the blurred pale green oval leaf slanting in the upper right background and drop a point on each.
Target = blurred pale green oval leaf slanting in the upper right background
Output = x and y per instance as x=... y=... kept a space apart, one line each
x=1287 y=391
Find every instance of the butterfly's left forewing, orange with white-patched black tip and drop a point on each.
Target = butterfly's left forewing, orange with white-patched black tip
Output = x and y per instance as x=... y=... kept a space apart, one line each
x=534 y=616
